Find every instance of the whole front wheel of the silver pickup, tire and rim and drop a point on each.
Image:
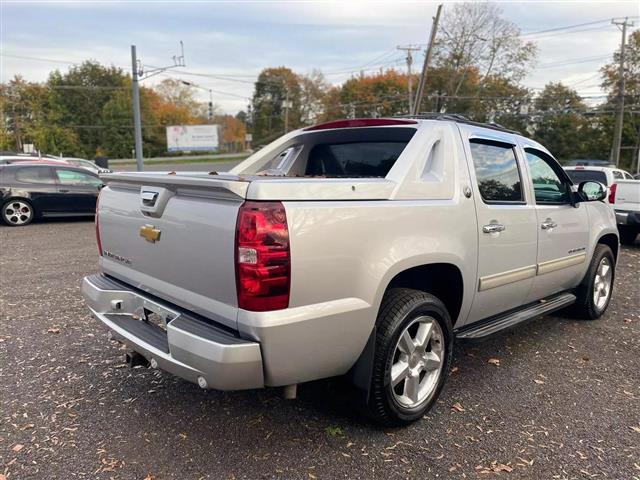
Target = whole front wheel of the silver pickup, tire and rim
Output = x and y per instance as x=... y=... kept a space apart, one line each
x=594 y=293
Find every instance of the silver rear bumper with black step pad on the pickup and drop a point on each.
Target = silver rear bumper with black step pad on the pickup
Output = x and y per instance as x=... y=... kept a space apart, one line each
x=191 y=347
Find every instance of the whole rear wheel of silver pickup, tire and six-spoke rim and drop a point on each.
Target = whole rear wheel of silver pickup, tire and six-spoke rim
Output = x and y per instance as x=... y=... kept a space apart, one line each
x=414 y=343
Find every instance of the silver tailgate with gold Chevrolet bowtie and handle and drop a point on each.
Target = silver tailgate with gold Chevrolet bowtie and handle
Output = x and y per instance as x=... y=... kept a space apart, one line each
x=173 y=236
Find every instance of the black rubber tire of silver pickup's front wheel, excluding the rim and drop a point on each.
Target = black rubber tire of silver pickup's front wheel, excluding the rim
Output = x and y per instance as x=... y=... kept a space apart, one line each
x=585 y=307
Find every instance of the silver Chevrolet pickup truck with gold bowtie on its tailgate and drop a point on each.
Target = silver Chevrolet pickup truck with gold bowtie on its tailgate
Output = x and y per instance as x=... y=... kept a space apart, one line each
x=356 y=247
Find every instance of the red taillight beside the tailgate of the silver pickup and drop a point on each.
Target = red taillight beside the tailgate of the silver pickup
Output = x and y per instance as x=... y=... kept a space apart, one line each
x=263 y=263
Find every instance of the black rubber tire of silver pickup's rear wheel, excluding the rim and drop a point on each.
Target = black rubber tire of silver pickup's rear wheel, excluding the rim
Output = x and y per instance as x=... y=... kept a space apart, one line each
x=400 y=308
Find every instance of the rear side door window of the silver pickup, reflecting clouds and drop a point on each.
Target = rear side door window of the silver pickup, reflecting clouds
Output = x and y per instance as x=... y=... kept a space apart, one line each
x=496 y=171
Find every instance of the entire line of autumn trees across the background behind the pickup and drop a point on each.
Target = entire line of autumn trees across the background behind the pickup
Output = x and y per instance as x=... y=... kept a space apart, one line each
x=479 y=63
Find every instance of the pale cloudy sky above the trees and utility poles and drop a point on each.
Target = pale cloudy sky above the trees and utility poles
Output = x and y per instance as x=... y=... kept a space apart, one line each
x=228 y=43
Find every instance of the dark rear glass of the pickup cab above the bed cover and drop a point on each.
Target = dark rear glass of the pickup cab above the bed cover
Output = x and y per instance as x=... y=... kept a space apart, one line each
x=362 y=159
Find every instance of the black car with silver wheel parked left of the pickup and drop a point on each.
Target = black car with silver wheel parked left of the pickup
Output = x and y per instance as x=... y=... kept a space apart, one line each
x=29 y=190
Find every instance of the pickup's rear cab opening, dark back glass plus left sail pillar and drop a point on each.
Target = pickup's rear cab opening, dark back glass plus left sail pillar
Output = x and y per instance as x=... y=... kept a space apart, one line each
x=347 y=152
